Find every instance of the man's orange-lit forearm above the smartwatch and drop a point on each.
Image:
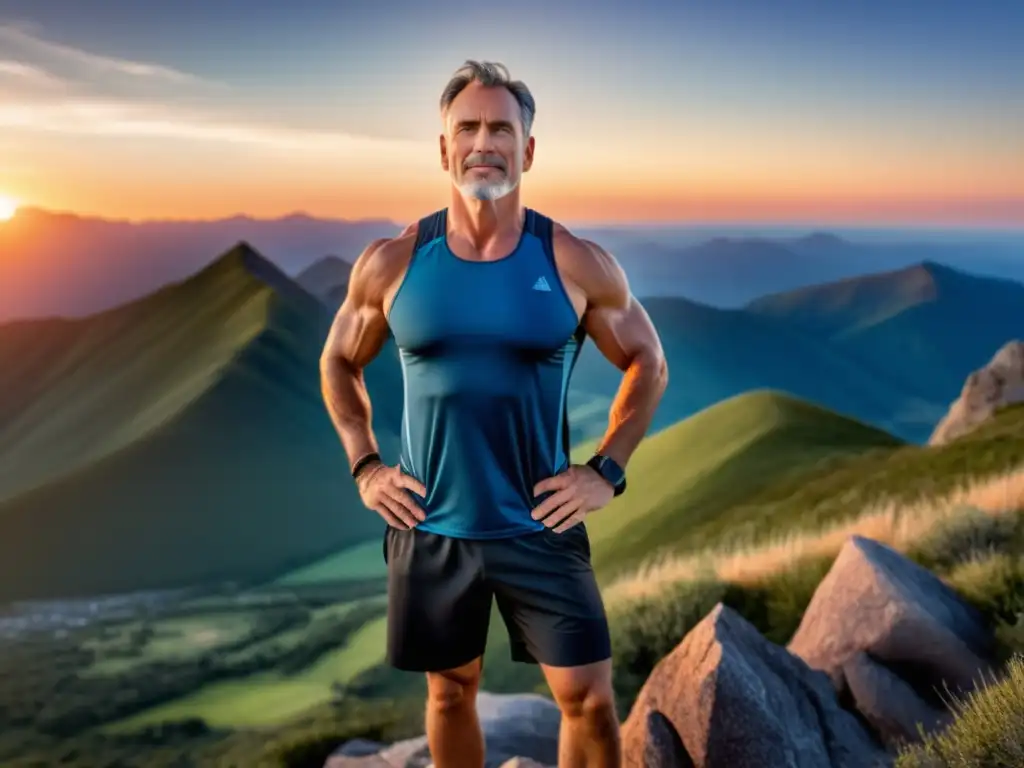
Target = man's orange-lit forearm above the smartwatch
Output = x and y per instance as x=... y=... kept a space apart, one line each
x=634 y=407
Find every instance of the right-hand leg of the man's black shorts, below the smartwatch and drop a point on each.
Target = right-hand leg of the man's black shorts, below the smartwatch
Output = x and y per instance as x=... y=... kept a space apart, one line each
x=549 y=599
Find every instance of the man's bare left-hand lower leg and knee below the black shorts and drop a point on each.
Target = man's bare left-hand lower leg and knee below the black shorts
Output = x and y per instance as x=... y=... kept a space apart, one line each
x=453 y=728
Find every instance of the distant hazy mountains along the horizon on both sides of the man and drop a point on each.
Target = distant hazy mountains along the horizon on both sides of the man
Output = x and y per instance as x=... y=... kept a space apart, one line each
x=62 y=265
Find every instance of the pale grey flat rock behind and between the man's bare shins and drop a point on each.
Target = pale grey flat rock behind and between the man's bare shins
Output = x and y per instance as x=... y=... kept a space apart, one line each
x=516 y=726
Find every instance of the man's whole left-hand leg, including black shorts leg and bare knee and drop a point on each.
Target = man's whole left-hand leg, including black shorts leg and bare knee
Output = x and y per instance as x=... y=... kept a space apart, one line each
x=439 y=613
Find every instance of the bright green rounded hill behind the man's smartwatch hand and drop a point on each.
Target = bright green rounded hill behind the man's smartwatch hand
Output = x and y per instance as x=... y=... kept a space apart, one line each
x=688 y=481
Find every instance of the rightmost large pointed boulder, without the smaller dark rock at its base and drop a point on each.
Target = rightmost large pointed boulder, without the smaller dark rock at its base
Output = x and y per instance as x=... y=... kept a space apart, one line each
x=876 y=601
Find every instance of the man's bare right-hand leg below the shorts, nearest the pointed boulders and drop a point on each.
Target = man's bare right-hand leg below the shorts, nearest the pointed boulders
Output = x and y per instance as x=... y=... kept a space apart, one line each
x=589 y=736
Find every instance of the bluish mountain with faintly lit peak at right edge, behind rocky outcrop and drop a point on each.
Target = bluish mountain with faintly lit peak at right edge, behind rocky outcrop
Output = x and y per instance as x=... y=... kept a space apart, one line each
x=927 y=327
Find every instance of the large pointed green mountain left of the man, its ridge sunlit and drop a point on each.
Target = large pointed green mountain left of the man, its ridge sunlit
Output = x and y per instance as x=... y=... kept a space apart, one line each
x=182 y=438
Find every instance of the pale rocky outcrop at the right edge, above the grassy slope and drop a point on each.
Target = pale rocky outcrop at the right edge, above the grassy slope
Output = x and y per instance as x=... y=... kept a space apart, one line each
x=997 y=385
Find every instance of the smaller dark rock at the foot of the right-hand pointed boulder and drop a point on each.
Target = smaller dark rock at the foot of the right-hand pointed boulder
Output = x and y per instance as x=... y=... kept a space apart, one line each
x=889 y=704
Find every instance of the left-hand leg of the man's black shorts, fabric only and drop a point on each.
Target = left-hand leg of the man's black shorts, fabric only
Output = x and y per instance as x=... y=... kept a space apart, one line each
x=439 y=602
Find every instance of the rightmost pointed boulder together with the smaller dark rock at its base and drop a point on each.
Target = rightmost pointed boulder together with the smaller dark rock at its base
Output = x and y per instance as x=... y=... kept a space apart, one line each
x=893 y=638
